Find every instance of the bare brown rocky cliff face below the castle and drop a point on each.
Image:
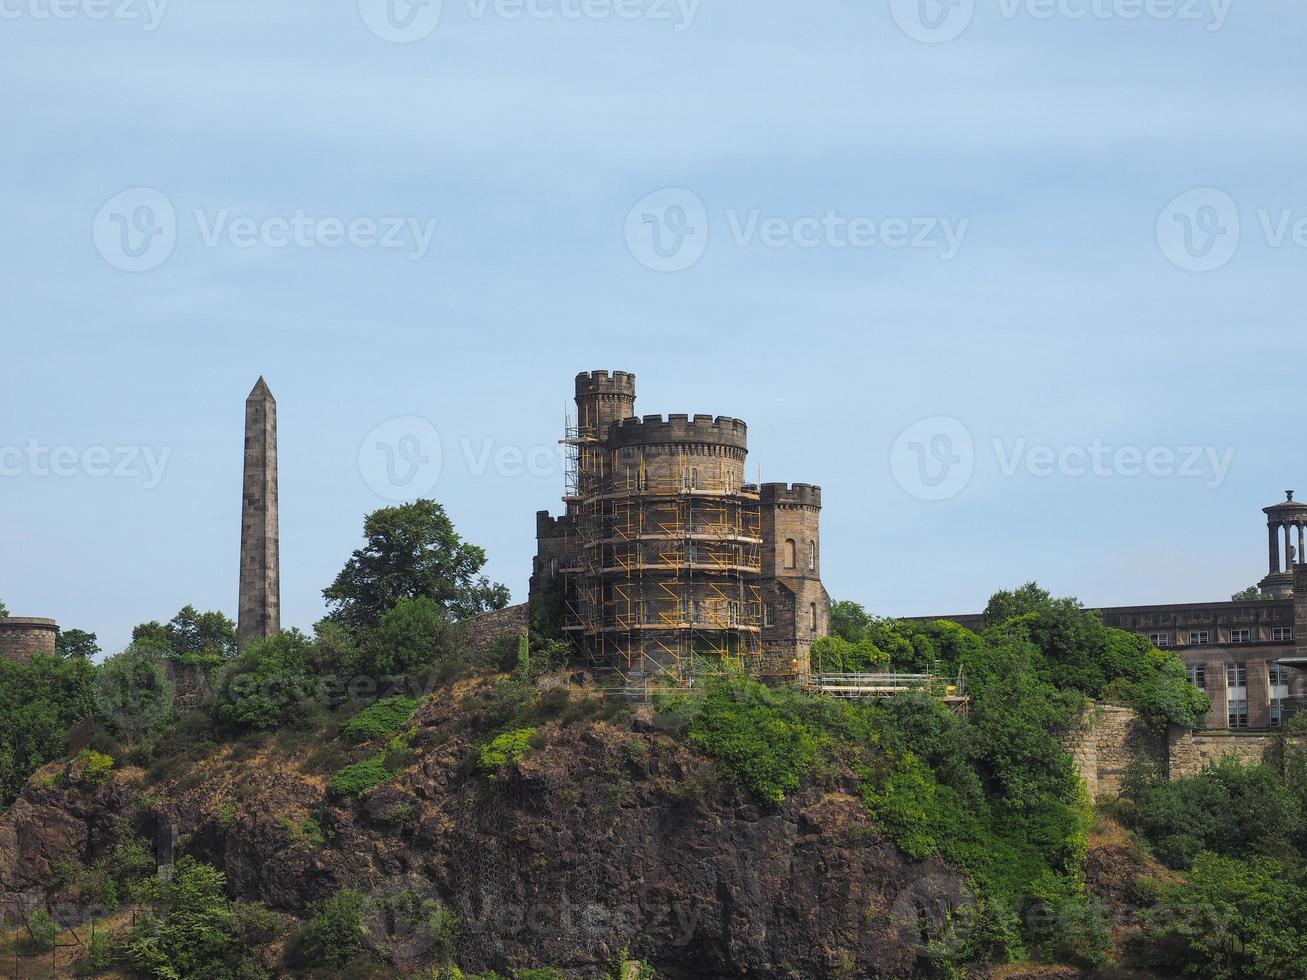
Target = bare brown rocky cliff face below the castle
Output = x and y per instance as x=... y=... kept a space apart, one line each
x=601 y=838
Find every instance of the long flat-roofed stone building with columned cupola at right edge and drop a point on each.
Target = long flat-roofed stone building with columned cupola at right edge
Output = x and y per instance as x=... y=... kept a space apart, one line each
x=1250 y=657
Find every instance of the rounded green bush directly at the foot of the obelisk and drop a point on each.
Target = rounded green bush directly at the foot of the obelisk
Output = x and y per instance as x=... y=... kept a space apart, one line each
x=270 y=684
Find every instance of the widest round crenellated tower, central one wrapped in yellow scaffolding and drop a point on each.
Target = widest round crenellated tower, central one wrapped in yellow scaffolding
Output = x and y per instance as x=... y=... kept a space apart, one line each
x=674 y=548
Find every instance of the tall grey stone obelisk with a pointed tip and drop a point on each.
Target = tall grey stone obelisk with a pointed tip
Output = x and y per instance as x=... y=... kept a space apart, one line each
x=261 y=566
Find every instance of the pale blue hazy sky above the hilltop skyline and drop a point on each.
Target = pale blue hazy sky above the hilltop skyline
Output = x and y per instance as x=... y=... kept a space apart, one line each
x=1019 y=283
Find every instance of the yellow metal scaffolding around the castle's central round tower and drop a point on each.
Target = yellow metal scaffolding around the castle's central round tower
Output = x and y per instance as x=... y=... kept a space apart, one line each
x=667 y=581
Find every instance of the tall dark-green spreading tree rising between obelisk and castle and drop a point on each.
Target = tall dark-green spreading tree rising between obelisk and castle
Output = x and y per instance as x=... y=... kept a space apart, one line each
x=412 y=552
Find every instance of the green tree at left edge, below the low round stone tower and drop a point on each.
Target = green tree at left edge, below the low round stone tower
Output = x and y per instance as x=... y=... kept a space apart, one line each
x=40 y=702
